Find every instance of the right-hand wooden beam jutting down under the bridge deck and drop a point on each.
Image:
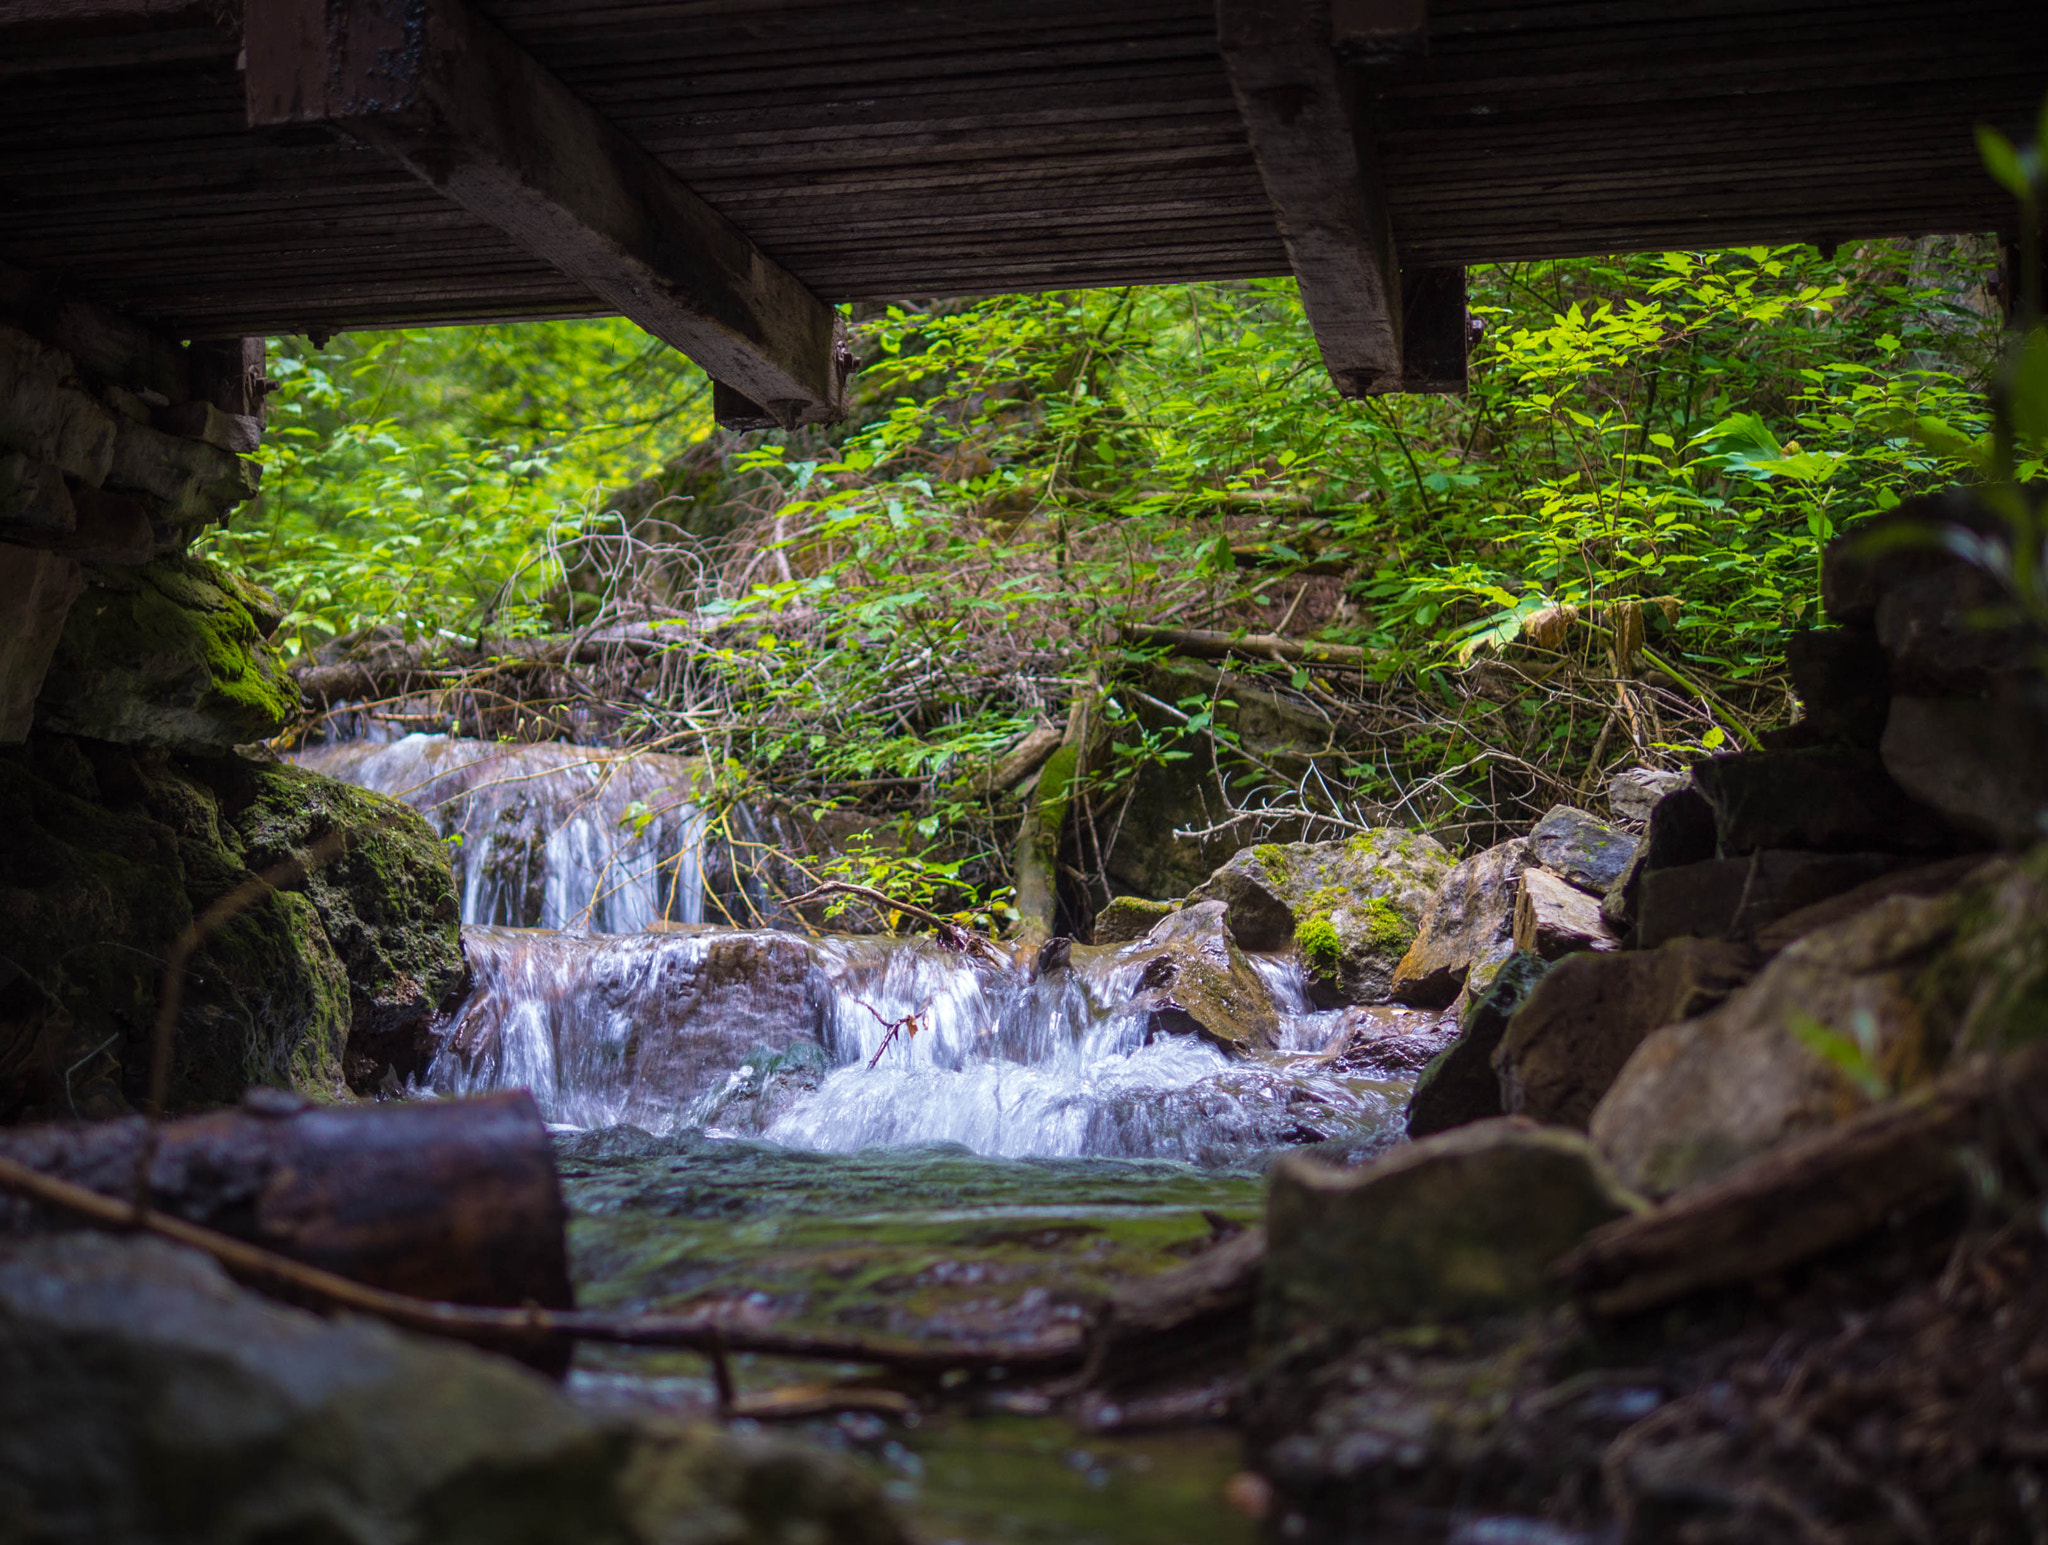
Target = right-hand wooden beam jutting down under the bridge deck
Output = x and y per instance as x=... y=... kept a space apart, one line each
x=1304 y=118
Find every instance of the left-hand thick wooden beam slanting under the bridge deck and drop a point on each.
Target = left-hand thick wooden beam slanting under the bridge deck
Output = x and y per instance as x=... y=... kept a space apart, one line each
x=470 y=114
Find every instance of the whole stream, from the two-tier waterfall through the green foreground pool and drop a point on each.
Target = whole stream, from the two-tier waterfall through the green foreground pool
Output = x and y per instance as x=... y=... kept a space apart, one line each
x=861 y=1132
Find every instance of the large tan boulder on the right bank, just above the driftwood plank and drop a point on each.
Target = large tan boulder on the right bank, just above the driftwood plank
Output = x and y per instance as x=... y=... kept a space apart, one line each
x=1824 y=1030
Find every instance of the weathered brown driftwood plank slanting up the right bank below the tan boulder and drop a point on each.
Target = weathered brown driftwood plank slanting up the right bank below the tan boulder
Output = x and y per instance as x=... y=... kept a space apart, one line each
x=1822 y=1192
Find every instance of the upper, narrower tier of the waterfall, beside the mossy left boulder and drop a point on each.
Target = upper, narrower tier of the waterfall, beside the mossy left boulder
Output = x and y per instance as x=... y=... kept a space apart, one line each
x=548 y=835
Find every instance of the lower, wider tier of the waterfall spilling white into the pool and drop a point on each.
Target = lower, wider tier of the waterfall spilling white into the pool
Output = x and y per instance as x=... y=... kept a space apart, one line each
x=783 y=1038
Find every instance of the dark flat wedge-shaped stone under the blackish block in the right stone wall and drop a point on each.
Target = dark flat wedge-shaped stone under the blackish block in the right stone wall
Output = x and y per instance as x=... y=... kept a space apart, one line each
x=1734 y=899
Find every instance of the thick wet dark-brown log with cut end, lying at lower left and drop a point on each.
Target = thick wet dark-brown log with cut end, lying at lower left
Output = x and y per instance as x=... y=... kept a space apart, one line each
x=445 y=1200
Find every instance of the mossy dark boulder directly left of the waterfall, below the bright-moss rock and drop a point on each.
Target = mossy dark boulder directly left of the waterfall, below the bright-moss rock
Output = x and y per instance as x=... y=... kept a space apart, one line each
x=386 y=896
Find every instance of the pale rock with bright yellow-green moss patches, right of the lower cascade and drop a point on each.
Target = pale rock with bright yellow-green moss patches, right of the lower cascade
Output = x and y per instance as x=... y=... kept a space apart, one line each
x=1351 y=907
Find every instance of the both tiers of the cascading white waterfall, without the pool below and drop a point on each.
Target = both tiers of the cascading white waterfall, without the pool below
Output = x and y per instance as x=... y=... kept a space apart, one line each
x=787 y=1038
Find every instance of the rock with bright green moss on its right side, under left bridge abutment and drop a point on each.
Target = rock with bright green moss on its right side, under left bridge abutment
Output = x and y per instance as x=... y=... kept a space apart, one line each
x=165 y=655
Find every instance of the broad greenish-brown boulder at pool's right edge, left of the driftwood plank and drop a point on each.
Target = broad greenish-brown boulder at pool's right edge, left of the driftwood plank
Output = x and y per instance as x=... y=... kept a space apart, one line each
x=1455 y=1226
